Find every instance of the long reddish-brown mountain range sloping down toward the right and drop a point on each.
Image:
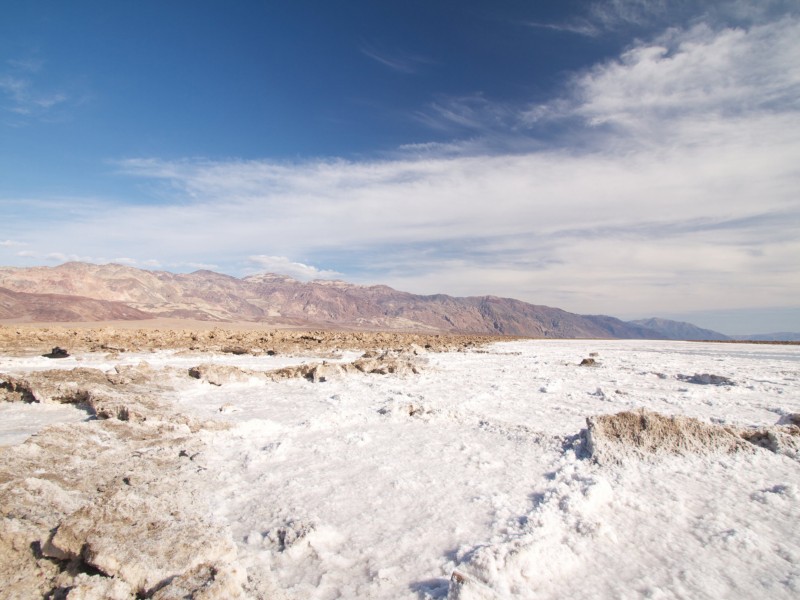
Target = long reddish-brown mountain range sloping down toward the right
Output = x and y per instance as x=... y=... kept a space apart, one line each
x=46 y=293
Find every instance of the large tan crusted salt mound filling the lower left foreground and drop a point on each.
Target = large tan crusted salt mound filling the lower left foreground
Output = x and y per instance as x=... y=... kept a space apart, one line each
x=110 y=508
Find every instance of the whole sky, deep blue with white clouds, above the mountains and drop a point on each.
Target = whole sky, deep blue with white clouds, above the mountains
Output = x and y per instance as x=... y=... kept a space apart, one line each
x=634 y=158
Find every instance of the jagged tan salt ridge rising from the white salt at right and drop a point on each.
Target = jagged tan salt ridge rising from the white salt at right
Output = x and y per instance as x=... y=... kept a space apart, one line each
x=612 y=438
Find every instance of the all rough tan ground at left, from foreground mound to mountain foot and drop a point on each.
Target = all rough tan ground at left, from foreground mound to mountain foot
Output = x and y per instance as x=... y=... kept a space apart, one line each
x=112 y=508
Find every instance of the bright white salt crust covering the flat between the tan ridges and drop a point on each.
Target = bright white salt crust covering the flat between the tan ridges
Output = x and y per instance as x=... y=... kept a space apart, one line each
x=380 y=486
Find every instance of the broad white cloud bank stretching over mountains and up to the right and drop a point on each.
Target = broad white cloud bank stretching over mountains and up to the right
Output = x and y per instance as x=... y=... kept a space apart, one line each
x=668 y=182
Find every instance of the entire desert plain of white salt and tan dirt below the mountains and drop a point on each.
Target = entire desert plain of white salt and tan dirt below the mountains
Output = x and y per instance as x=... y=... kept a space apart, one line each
x=175 y=461
